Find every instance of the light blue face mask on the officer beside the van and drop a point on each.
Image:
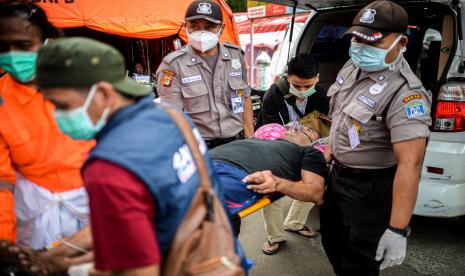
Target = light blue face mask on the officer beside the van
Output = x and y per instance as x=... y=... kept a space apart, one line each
x=369 y=58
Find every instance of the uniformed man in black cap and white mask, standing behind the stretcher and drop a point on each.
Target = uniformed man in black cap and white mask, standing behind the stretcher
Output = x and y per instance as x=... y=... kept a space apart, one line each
x=207 y=79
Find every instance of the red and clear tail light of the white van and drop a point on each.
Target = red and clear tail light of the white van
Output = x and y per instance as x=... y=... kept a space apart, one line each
x=450 y=110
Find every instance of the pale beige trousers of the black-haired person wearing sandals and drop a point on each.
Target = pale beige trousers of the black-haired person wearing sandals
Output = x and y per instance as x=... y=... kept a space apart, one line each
x=295 y=219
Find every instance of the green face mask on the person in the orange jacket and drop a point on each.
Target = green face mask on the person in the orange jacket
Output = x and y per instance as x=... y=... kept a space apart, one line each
x=20 y=65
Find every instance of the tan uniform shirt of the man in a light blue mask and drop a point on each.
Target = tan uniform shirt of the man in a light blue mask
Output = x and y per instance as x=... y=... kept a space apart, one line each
x=371 y=111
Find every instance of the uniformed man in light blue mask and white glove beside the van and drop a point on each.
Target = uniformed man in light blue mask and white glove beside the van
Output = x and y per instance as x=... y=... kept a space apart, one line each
x=381 y=119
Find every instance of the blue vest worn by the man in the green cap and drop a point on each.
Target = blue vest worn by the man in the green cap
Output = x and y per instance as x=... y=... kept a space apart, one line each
x=144 y=140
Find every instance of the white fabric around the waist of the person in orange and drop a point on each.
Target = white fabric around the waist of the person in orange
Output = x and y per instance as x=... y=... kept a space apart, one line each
x=43 y=217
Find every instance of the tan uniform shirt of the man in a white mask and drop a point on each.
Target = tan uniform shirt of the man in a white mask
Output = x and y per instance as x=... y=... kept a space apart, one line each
x=186 y=81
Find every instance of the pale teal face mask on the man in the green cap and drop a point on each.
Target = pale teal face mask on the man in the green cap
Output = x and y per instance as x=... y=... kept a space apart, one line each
x=77 y=123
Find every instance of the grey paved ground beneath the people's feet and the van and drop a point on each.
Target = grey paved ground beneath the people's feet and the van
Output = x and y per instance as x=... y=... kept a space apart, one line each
x=436 y=247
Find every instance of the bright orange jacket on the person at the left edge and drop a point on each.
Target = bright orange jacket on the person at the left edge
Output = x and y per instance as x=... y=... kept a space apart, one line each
x=32 y=145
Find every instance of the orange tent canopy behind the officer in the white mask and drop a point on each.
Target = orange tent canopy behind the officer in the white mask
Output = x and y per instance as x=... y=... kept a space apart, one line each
x=145 y=19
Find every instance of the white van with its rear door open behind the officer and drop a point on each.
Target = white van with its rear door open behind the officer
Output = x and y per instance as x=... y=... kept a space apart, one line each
x=435 y=52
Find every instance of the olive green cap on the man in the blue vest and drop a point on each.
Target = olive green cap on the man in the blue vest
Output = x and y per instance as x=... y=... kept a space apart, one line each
x=79 y=61
